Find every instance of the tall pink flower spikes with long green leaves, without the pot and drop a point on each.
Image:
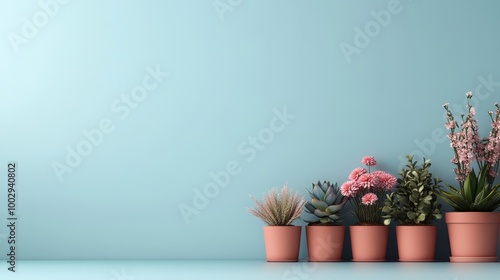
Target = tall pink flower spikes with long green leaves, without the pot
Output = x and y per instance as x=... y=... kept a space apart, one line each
x=477 y=193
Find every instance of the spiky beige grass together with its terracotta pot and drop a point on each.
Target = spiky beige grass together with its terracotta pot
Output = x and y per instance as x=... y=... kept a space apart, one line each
x=278 y=210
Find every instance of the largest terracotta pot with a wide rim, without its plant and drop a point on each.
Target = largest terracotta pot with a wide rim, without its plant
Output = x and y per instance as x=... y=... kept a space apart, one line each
x=473 y=236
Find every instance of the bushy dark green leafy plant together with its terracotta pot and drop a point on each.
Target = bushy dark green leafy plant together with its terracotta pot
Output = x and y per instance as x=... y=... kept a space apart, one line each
x=414 y=206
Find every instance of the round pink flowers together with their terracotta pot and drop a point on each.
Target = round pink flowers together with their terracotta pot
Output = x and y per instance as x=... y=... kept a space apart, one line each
x=366 y=190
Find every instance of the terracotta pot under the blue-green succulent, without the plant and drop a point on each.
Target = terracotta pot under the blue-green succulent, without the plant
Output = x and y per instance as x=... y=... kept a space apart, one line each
x=325 y=243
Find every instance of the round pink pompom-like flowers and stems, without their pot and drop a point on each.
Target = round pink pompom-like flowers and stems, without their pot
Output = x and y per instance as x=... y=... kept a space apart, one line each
x=367 y=190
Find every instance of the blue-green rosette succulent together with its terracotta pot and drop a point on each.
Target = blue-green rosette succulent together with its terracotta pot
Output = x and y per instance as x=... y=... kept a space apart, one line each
x=325 y=237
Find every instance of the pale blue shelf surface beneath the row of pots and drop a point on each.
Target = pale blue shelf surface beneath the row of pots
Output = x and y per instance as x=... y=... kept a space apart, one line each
x=245 y=269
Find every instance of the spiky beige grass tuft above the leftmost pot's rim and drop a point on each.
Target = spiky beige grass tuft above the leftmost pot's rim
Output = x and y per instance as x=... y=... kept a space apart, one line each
x=278 y=209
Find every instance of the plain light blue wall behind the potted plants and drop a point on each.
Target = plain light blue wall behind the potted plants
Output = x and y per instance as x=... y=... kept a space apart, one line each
x=232 y=74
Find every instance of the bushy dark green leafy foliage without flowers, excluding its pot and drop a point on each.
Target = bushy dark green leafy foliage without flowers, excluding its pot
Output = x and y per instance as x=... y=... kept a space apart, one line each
x=414 y=201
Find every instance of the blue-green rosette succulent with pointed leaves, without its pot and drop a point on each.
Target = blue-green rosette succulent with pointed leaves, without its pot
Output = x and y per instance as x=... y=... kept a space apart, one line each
x=325 y=204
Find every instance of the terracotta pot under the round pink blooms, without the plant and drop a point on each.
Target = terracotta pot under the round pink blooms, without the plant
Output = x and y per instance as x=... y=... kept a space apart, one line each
x=369 y=243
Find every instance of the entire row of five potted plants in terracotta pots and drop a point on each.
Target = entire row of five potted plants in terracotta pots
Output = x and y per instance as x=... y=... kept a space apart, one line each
x=411 y=199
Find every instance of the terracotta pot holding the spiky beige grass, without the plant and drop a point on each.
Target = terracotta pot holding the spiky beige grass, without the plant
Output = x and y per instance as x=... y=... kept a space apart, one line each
x=282 y=243
